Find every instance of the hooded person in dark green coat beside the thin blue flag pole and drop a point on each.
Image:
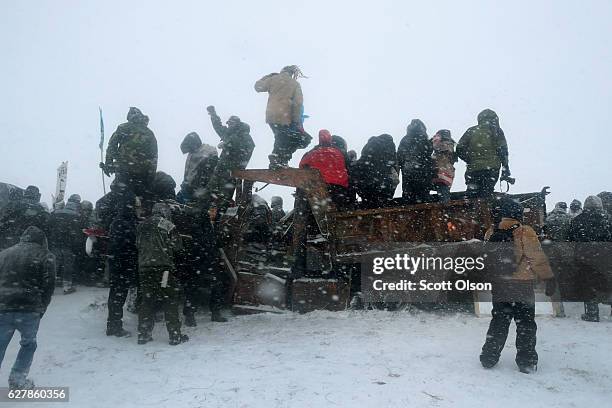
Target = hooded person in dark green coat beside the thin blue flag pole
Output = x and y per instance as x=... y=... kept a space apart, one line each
x=132 y=153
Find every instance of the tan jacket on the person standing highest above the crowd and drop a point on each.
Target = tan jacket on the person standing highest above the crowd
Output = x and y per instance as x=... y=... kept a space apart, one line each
x=285 y=98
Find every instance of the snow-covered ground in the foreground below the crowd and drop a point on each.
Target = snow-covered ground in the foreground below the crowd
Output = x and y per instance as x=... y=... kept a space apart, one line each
x=344 y=359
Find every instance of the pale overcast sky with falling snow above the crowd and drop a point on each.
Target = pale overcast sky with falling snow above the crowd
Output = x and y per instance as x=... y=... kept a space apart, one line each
x=544 y=66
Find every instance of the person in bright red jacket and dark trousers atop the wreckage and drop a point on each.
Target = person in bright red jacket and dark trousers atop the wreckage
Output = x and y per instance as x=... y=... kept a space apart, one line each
x=331 y=163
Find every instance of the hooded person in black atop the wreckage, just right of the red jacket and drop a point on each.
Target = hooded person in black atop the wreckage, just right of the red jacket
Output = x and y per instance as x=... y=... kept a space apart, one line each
x=375 y=173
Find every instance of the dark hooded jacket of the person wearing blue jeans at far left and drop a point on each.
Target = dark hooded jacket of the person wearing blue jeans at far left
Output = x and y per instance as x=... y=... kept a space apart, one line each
x=27 y=274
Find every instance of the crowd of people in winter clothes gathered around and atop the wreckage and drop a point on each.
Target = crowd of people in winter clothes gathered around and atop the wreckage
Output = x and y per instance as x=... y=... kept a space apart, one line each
x=163 y=245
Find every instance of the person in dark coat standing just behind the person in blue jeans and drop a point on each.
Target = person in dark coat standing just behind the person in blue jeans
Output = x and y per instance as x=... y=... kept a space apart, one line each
x=66 y=242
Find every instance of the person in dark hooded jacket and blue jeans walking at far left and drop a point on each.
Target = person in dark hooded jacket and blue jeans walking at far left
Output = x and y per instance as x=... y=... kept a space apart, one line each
x=27 y=280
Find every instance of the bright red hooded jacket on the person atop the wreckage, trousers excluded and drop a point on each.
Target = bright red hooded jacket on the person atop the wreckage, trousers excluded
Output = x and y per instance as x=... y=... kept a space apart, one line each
x=329 y=160
